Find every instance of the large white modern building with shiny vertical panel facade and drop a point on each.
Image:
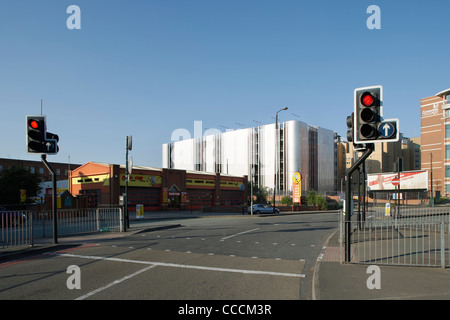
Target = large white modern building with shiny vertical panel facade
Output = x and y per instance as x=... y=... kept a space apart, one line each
x=301 y=148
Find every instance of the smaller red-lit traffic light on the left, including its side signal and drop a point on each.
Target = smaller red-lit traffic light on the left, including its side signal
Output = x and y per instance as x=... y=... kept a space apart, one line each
x=38 y=139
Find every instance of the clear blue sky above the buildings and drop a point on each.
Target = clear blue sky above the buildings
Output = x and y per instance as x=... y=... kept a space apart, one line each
x=147 y=68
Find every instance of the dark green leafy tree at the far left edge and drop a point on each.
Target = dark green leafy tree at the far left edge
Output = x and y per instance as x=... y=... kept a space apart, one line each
x=13 y=180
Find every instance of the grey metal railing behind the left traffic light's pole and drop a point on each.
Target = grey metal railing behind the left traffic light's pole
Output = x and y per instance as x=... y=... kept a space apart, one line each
x=20 y=228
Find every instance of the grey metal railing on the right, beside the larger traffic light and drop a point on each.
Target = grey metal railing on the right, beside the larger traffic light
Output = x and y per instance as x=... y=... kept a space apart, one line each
x=416 y=236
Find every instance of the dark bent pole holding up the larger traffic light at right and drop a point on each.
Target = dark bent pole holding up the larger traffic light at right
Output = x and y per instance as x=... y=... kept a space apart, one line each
x=348 y=197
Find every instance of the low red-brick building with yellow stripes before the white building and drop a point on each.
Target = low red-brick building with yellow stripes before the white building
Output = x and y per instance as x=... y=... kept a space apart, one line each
x=156 y=188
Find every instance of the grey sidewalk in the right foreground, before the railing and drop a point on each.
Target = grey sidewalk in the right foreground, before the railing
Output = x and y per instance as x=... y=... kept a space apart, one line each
x=336 y=281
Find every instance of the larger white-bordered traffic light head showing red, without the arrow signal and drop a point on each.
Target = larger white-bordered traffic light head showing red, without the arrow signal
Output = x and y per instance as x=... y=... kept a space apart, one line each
x=368 y=114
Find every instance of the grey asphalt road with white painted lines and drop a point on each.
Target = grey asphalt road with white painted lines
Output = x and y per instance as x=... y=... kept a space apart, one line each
x=239 y=257
